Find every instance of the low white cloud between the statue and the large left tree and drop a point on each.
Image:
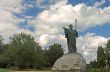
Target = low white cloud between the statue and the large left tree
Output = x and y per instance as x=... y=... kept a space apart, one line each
x=46 y=40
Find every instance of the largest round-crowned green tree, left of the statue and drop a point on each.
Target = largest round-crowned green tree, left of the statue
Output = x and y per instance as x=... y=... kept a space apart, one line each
x=21 y=51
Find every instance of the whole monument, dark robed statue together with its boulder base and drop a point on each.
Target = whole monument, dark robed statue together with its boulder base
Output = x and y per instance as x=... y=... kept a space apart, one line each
x=72 y=61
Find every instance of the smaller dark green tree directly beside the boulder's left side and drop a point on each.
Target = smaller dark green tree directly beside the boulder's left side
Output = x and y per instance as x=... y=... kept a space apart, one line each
x=53 y=53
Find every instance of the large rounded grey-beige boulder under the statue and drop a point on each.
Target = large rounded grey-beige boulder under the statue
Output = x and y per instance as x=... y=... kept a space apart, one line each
x=71 y=62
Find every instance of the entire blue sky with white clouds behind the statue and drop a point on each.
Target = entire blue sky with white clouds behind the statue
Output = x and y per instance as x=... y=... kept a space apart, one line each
x=44 y=19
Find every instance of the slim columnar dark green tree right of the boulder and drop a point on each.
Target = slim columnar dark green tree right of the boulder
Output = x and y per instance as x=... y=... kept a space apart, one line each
x=100 y=57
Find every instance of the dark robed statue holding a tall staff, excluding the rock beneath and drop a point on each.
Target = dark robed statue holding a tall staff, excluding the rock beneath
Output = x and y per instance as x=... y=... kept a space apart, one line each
x=71 y=35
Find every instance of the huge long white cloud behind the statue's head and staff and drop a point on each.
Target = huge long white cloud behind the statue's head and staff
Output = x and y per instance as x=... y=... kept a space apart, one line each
x=62 y=14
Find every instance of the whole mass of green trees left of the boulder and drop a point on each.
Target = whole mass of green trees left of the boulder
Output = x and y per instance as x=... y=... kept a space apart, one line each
x=24 y=52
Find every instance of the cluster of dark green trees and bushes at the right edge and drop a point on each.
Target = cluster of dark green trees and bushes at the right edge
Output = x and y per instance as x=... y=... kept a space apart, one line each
x=103 y=57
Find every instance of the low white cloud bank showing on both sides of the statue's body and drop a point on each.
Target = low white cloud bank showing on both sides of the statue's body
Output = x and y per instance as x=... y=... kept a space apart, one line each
x=87 y=45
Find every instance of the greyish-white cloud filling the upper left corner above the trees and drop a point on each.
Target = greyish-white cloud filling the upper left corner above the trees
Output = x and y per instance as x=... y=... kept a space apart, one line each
x=8 y=21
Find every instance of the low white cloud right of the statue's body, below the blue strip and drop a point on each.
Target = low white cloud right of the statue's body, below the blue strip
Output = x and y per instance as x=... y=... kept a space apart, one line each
x=88 y=44
